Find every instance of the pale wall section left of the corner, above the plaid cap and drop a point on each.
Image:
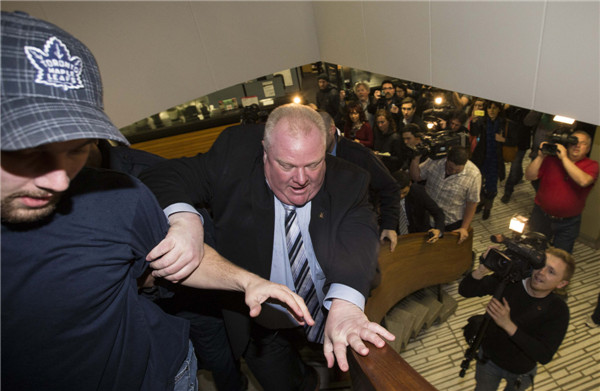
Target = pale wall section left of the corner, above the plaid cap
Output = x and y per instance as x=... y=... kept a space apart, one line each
x=154 y=55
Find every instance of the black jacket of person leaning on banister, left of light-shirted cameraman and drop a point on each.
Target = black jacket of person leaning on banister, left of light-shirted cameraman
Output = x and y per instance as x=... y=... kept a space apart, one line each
x=419 y=205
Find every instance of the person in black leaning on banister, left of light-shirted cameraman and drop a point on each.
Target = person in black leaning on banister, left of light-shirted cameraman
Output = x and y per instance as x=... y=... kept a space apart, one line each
x=418 y=206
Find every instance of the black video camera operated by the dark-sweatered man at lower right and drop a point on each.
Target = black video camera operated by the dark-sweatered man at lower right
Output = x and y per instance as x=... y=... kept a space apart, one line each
x=522 y=255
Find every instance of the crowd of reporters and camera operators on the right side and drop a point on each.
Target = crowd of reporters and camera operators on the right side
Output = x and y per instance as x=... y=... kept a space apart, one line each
x=484 y=143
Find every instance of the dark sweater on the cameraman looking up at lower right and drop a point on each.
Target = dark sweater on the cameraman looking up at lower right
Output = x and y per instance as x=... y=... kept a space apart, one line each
x=542 y=324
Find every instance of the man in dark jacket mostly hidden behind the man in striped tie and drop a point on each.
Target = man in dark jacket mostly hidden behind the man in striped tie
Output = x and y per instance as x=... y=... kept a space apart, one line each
x=385 y=193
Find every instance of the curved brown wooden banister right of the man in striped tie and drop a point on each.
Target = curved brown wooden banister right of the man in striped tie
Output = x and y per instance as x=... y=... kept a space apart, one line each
x=413 y=265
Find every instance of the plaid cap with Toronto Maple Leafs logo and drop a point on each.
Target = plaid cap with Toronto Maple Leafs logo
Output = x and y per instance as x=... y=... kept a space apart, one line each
x=51 y=88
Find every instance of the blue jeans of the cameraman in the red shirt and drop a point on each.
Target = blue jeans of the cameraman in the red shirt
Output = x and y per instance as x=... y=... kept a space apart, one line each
x=560 y=232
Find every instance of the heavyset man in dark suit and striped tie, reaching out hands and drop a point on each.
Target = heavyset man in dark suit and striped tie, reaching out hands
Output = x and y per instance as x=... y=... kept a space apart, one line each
x=251 y=182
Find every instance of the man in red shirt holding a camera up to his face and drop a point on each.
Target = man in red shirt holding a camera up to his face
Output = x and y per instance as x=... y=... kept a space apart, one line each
x=565 y=180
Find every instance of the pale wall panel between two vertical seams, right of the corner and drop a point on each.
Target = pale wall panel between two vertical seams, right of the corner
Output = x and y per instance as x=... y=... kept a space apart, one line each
x=487 y=49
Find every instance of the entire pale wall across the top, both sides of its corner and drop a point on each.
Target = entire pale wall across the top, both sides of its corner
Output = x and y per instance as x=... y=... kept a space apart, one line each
x=153 y=55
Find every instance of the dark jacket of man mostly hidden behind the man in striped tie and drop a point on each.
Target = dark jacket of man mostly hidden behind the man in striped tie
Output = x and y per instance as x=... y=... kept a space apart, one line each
x=385 y=189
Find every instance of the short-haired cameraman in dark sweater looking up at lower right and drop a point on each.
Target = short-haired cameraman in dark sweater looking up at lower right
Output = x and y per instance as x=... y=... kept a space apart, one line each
x=527 y=326
